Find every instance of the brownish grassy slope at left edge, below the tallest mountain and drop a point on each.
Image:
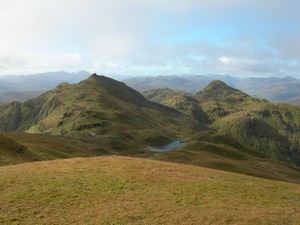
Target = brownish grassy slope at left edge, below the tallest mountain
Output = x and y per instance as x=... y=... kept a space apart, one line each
x=18 y=147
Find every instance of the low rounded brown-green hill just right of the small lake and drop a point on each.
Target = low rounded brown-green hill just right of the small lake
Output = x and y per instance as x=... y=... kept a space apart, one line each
x=217 y=151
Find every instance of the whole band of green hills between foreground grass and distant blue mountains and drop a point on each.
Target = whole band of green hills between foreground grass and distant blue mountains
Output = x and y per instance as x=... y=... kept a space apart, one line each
x=101 y=116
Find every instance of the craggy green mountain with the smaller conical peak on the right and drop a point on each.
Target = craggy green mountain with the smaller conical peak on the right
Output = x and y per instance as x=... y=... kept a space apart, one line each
x=272 y=128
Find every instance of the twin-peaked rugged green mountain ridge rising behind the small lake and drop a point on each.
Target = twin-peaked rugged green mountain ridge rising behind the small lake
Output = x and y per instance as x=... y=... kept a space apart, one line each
x=109 y=109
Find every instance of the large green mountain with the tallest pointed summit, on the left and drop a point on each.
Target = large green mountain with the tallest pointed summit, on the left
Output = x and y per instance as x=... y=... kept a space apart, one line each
x=97 y=105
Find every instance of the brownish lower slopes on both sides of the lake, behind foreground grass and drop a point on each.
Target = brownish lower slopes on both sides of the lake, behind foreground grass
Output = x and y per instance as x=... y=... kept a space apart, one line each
x=206 y=149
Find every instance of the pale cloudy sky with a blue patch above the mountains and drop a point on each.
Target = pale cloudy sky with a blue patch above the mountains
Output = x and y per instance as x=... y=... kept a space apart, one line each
x=151 y=37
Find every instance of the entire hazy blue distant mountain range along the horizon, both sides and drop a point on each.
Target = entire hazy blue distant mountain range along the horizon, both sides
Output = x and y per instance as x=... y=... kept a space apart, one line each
x=23 y=87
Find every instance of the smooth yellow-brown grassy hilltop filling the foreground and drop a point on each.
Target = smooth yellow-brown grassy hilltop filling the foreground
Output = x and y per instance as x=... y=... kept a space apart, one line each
x=124 y=190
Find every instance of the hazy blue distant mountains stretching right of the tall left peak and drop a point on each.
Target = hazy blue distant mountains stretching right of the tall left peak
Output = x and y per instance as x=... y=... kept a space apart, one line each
x=285 y=89
